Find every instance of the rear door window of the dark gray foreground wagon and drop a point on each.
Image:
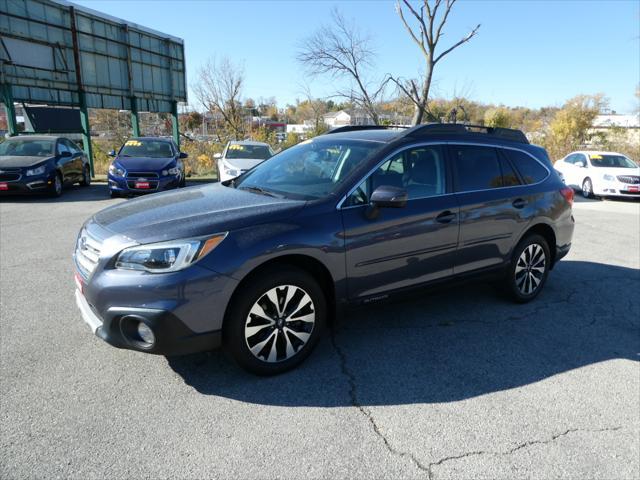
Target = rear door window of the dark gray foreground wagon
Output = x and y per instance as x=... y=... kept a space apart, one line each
x=478 y=168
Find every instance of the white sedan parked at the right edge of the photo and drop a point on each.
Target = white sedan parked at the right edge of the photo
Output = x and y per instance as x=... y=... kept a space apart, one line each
x=601 y=174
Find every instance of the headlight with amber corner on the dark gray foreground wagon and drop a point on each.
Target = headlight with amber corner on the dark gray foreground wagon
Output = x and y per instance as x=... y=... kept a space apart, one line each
x=167 y=256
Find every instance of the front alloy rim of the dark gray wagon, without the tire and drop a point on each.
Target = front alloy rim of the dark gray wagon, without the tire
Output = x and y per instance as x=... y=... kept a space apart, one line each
x=280 y=323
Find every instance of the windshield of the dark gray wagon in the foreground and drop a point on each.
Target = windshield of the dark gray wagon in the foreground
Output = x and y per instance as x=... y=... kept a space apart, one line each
x=310 y=170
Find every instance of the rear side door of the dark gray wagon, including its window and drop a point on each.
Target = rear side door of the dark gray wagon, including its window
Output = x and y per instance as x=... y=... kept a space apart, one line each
x=494 y=206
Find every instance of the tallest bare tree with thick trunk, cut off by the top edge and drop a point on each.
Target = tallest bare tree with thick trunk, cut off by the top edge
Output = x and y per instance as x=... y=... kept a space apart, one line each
x=430 y=19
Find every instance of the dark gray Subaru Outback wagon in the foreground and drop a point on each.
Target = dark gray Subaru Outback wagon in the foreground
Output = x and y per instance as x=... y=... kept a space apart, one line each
x=258 y=264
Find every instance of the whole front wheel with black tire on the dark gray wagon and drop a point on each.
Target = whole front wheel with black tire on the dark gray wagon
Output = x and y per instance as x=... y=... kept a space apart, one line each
x=275 y=336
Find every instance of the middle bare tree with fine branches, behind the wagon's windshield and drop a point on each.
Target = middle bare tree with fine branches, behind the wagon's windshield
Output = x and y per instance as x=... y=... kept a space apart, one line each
x=342 y=51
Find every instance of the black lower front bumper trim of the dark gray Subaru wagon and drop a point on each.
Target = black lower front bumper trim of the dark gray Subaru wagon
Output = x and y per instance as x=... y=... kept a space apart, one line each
x=118 y=327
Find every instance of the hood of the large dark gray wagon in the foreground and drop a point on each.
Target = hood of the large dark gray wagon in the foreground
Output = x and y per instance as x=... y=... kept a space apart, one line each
x=193 y=212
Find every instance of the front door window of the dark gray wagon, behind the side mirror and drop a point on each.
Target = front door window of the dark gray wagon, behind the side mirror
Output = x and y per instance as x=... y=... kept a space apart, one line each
x=419 y=170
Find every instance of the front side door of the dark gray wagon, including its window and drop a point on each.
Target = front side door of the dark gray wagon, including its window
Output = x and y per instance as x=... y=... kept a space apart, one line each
x=394 y=248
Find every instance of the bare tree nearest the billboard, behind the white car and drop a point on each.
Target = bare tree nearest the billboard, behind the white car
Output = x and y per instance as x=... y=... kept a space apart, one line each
x=219 y=89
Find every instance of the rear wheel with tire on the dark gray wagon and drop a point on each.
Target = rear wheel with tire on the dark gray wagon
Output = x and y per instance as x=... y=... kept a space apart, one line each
x=523 y=271
